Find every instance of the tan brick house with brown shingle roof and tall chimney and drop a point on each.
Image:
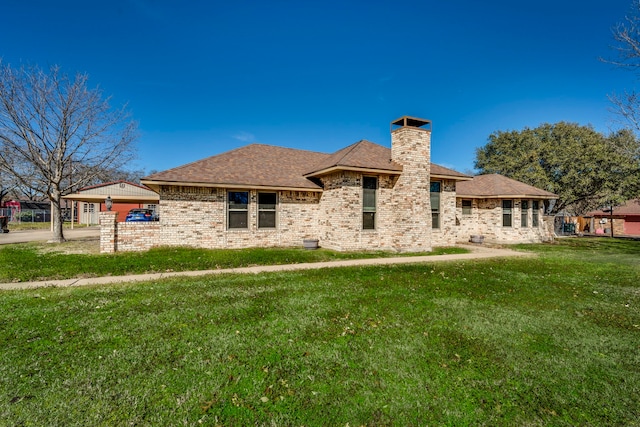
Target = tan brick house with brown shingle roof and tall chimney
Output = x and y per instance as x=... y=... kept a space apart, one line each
x=363 y=197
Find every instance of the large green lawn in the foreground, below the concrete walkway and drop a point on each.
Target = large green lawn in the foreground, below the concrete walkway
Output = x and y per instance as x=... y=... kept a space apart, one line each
x=552 y=340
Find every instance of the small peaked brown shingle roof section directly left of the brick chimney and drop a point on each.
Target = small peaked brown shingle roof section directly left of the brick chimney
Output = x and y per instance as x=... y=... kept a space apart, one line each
x=363 y=155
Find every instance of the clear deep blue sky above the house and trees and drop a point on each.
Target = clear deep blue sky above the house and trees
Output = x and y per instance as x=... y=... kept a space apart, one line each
x=204 y=77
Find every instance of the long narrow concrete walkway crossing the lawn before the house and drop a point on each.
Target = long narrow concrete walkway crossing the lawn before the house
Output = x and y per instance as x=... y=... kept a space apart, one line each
x=477 y=252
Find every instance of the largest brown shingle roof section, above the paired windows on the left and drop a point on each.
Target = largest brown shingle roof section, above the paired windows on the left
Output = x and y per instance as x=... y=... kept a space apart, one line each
x=255 y=166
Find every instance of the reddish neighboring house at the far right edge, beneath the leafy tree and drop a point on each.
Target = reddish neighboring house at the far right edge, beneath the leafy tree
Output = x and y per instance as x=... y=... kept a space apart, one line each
x=626 y=219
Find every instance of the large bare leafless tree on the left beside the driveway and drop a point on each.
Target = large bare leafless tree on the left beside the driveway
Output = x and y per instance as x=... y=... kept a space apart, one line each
x=50 y=122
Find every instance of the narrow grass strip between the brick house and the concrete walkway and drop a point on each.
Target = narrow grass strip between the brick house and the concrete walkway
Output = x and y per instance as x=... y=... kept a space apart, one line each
x=41 y=261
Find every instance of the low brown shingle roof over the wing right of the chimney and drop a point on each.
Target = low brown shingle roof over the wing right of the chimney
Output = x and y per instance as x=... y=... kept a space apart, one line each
x=498 y=186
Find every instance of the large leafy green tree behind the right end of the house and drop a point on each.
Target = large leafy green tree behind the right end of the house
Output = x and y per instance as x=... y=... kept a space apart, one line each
x=583 y=167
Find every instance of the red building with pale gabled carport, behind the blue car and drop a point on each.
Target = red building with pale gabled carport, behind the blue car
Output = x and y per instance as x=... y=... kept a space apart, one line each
x=124 y=195
